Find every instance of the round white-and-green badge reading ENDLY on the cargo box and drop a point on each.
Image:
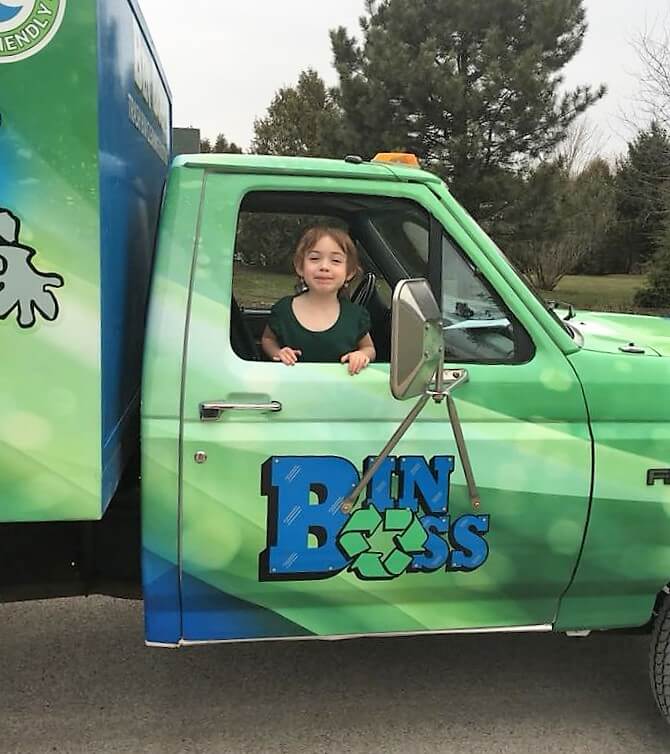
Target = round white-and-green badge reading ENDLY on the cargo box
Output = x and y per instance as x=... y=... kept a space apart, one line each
x=28 y=26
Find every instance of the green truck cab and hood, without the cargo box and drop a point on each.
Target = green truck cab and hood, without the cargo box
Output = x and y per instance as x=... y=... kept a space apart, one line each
x=244 y=536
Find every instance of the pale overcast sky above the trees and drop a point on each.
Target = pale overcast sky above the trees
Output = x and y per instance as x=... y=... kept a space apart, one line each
x=225 y=60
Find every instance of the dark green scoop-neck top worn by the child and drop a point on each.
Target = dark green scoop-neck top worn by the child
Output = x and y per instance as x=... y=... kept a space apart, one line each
x=325 y=346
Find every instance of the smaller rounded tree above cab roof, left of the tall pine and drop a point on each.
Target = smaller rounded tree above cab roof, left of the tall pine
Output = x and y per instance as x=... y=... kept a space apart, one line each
x=300 y=120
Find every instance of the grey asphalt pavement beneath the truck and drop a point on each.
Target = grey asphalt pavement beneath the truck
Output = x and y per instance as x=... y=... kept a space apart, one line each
x=76 y=677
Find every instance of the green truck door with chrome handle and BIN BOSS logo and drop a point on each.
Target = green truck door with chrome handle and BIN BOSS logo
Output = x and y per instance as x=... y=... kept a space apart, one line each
x=265 y=549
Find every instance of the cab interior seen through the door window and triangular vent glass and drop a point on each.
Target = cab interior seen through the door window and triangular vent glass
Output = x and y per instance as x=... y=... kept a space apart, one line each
x=396 y=239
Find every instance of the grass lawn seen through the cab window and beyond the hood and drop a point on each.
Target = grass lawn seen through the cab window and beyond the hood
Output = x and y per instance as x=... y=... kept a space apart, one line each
x=254 y=287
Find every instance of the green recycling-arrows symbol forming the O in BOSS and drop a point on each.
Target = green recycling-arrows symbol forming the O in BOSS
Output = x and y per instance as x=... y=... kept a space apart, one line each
x=408 y=537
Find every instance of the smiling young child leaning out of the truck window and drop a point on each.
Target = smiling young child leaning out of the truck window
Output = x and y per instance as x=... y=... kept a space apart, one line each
x=321 y=325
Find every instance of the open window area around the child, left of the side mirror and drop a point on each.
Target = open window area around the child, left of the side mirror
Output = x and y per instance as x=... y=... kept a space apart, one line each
x=390 y=235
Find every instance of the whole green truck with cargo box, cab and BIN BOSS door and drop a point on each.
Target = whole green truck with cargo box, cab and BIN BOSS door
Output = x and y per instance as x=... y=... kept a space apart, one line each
x=527 y=490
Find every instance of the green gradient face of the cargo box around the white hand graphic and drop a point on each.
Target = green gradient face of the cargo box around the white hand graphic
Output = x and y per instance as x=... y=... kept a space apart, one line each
x=50 y=389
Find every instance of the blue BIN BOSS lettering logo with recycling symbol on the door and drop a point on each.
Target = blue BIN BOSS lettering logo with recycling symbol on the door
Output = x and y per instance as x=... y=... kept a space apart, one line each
x=390 y=534
